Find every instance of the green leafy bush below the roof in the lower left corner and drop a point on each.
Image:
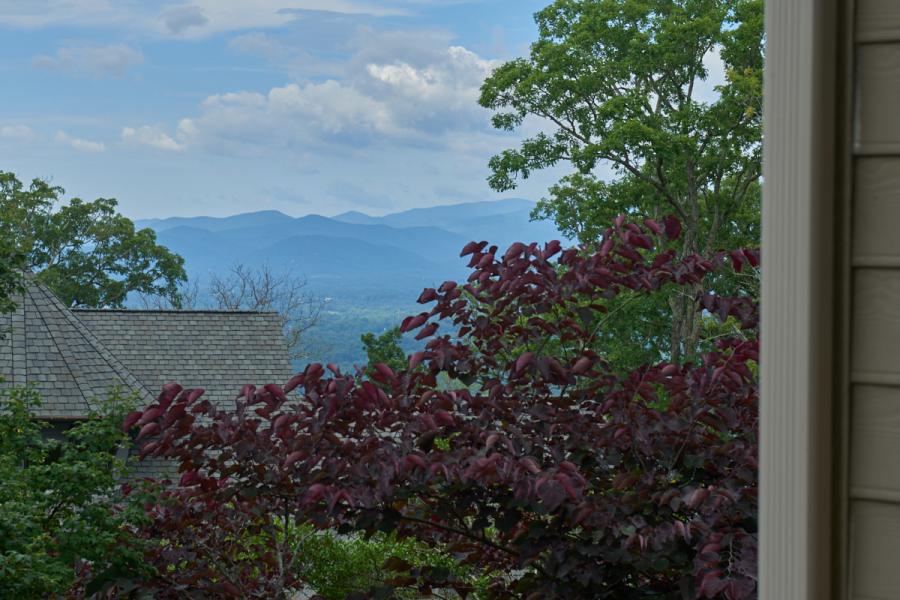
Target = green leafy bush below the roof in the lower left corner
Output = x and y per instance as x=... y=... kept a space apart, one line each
x=59 y=509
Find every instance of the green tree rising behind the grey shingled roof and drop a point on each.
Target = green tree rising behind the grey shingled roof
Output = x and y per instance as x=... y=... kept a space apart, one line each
x=86 y=252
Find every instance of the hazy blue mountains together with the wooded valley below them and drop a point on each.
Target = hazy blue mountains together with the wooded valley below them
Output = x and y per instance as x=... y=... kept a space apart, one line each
x=371 y=268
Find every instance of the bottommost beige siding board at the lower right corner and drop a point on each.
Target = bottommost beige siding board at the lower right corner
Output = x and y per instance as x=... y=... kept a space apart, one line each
x=875 y=548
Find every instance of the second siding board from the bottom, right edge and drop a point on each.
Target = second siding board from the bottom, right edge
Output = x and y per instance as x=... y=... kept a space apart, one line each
x=875 y=435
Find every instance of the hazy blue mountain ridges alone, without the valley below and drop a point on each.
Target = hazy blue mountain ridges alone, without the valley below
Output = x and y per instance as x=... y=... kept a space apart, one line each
x=414 y=245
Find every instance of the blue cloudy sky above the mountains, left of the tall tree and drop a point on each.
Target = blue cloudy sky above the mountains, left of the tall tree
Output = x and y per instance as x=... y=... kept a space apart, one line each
x=216 y=107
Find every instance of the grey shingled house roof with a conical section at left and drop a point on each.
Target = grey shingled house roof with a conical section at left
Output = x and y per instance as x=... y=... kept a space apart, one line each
x=74 y=357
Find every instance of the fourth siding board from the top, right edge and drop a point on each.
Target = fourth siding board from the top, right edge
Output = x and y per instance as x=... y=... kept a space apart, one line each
x=875 y=345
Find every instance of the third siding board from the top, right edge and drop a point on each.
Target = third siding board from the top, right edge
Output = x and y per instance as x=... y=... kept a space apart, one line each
x=876 y=211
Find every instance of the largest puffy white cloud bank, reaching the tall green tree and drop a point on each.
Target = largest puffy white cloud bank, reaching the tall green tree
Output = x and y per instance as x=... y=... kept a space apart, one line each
x=432 y=103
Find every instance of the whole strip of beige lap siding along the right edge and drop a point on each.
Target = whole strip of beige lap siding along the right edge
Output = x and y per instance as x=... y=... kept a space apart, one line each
x=874 y=444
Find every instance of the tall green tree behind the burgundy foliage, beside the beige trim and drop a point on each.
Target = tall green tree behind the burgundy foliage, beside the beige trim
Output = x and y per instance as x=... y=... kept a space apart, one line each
x=615 y=82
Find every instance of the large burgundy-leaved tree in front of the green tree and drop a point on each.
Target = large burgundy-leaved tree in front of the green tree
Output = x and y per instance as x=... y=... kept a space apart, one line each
x=508 y=439
